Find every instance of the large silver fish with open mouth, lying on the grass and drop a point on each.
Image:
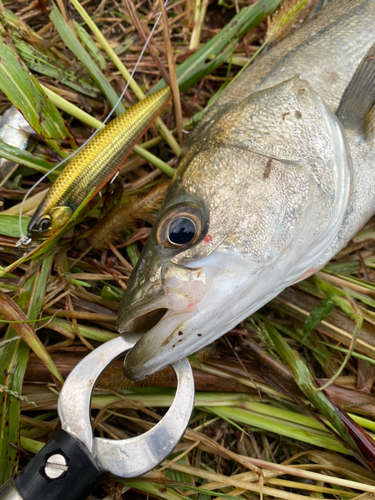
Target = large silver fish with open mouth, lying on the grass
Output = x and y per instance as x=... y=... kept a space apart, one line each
x=275 y=180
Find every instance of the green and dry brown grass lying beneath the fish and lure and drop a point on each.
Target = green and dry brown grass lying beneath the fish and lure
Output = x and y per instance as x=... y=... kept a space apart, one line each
x=262 y=425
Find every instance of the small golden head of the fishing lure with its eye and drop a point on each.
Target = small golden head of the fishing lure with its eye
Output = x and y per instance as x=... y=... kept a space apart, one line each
x=46 y=222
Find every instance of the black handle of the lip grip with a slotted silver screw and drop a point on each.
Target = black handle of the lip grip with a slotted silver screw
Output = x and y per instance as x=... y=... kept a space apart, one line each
x=36 y=481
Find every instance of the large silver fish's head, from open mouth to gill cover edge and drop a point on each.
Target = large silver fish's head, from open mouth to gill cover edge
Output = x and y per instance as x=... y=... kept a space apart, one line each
x=256 y=200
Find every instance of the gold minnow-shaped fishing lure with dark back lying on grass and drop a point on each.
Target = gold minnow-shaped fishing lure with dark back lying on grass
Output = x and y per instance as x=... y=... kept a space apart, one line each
x=95 y=165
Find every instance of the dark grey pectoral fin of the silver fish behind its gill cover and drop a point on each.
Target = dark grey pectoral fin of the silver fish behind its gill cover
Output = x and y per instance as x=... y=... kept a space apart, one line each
x=359 y=95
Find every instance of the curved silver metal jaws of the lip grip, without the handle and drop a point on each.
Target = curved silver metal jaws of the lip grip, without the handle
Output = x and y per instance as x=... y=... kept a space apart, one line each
x=128 y=457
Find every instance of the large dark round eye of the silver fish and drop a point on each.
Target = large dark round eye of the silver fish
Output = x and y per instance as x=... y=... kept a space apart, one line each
x=182 y=226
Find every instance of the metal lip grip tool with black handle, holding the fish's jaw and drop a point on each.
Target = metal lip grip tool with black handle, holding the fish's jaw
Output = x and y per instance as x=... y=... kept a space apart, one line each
x=73 y=462
